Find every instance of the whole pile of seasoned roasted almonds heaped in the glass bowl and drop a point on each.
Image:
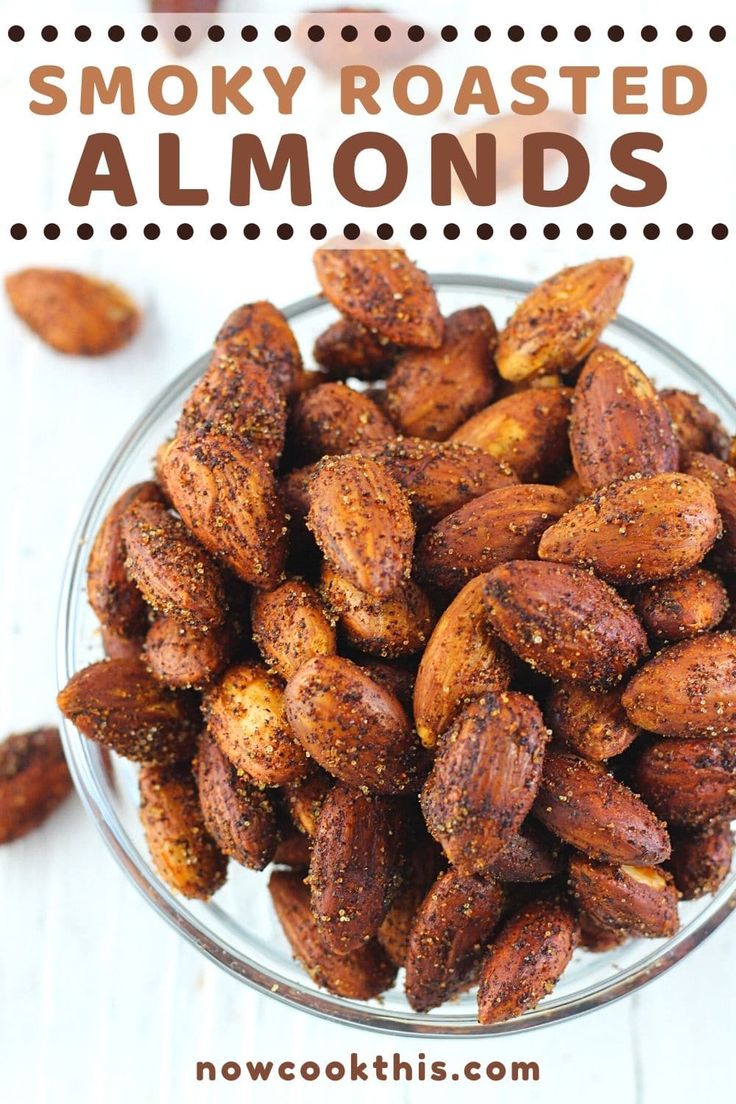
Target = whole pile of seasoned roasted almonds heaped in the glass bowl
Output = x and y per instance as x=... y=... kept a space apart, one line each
x=454 y=651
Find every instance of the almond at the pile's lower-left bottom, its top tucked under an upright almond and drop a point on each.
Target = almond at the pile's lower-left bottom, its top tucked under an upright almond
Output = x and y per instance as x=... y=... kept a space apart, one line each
x=359 y=975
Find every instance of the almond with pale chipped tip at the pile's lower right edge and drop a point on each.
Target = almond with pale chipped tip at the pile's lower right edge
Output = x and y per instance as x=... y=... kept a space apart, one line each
x=636 y=900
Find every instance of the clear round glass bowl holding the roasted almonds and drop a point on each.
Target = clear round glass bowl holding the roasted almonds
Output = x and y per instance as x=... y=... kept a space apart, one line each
x=239 y=930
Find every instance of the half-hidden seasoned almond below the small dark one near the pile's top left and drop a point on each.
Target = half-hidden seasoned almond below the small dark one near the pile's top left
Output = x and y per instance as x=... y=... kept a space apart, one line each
x=334 y=419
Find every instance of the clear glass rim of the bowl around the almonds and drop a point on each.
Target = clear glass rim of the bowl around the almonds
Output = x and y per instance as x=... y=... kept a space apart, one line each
x=81 y=753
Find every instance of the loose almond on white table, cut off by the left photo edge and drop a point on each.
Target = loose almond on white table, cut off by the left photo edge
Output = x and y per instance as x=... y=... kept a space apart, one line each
x=35 y=781
